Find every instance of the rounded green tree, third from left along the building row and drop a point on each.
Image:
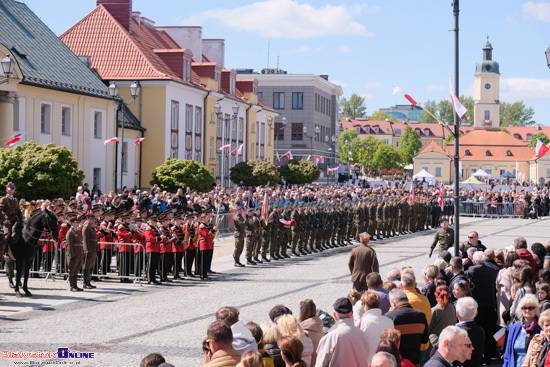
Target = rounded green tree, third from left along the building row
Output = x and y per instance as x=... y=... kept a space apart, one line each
x=255 y=173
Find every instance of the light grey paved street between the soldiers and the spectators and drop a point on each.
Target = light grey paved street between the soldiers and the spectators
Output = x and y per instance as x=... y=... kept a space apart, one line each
x=121 y=323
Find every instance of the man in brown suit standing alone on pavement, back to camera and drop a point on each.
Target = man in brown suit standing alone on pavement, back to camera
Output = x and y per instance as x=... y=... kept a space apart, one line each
x=362 y=262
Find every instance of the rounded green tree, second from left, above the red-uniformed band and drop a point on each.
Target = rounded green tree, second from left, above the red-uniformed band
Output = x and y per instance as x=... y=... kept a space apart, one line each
x=177 y=173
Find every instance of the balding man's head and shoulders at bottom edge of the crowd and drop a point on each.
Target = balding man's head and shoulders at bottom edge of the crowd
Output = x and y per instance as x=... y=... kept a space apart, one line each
x=452 y=342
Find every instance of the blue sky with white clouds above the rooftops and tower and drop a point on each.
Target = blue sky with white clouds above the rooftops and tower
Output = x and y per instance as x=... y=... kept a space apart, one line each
x=364 y=46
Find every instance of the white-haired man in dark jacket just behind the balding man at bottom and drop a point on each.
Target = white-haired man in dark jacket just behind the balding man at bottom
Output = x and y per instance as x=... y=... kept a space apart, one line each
x=466 y=311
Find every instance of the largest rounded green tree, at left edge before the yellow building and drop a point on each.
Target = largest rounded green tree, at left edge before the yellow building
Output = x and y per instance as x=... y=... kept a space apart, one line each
x=40 y=171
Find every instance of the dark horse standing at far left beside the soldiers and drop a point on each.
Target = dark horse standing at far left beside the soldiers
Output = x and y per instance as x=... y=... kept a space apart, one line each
x=23 y=250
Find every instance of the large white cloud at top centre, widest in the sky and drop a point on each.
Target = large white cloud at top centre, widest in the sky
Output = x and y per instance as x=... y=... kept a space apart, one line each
x=289 y=19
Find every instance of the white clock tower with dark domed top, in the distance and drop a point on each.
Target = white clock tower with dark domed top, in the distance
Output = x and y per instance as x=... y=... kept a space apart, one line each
x=486 y=91
